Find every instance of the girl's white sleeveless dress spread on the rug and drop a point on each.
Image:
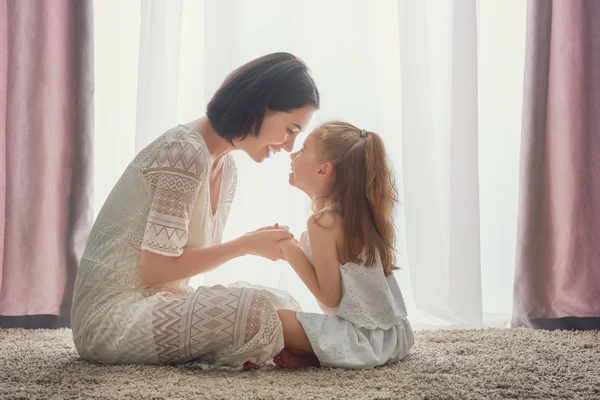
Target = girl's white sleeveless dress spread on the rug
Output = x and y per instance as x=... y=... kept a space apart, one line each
x=368 y=328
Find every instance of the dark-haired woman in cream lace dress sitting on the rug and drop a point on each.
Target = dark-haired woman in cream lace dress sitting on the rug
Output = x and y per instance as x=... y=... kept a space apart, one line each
x=163 y=223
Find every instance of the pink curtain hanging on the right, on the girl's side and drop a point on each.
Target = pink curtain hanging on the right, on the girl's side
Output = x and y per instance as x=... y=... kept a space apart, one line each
x=557 y=279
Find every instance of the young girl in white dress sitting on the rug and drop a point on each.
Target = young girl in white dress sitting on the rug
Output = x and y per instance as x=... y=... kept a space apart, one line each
x=346 y=257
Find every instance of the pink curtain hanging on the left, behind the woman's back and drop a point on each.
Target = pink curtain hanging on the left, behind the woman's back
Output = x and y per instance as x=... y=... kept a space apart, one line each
x=46 y=94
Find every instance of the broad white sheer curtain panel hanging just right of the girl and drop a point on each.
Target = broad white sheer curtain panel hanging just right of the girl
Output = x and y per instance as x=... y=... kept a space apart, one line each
x=440 y=163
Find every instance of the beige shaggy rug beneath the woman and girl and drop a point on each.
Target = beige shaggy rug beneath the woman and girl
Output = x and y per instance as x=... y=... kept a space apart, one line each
x=474 y=364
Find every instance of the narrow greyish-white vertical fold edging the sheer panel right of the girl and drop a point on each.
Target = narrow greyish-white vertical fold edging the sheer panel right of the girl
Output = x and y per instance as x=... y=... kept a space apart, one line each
x=464 y=256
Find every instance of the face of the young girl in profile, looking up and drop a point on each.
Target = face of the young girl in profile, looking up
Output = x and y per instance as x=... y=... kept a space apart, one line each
x=307 y=168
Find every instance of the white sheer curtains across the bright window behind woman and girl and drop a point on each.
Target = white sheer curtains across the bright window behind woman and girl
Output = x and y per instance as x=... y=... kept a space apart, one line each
x=440 y=80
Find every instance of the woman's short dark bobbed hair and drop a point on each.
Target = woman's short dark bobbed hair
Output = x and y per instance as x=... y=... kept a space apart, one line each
x=276 y=82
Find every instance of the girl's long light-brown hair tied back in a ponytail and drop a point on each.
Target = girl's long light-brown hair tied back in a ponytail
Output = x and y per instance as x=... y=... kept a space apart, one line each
x=364 y=192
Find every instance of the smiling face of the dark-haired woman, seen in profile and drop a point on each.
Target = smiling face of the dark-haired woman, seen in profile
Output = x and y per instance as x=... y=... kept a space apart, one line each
x=278 y=131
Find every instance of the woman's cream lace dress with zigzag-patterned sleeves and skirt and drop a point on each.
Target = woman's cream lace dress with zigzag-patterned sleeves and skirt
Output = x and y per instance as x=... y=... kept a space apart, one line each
x=162 y=204
